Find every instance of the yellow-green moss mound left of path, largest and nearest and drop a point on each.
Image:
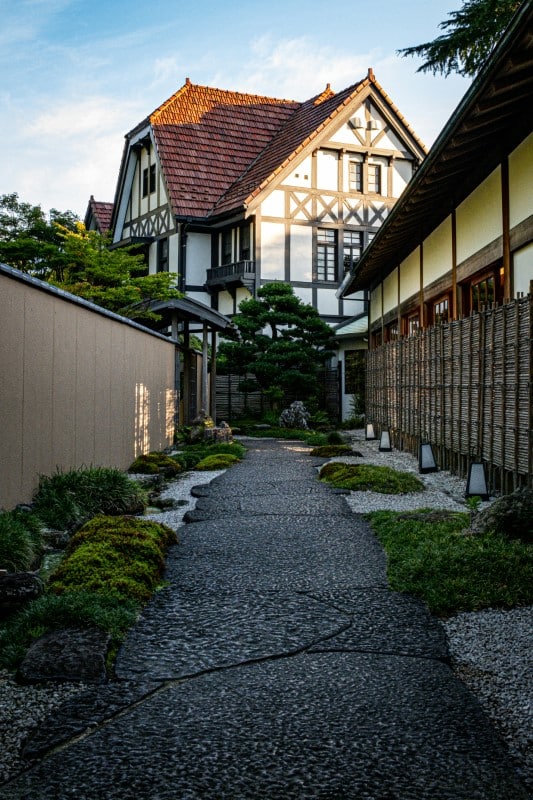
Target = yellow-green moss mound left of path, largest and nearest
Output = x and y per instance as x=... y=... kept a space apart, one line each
x=121 y=557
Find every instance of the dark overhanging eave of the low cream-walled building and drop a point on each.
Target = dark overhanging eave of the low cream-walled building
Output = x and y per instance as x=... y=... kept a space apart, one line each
x=490 y=121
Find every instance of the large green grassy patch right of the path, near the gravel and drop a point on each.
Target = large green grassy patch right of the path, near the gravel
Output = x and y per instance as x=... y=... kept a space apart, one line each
x=450 y=571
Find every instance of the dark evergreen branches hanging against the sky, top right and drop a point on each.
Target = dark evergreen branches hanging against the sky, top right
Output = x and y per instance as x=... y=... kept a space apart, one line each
x=472 y=33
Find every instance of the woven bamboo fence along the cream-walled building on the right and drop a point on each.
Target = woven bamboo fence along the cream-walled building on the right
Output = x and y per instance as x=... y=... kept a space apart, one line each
x=465 y=387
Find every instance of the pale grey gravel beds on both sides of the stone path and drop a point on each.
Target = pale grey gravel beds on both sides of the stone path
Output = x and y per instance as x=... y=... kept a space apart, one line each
x=490 y=649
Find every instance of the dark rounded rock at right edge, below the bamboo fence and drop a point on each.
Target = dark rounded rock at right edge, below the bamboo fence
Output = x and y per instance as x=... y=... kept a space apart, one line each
x=510 y=515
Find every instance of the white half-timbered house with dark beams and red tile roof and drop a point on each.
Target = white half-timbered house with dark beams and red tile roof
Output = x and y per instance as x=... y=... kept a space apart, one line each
x=232 y=191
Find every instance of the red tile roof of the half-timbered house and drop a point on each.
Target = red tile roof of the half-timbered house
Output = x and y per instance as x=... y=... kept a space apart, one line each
x=219 y=148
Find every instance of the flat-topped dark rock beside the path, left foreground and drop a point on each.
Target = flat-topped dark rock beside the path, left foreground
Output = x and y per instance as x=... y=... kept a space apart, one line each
x=71 y=654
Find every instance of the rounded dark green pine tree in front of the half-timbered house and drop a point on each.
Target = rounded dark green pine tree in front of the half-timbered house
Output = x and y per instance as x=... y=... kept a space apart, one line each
x=281 y=341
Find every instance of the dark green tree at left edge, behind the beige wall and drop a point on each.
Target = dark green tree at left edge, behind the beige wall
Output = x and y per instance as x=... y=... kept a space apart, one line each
x=28 y=240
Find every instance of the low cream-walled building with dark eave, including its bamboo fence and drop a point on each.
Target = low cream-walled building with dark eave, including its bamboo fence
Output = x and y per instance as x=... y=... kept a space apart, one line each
x=448 y=276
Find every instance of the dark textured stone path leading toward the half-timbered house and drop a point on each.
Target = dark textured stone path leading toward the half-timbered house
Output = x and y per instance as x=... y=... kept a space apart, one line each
x=276 y=665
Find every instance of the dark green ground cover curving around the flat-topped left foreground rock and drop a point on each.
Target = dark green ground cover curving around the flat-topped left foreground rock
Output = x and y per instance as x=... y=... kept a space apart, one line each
x=53 y=612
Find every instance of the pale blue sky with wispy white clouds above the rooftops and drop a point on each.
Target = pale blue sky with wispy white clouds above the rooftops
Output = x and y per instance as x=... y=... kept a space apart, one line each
x=77 y=75
